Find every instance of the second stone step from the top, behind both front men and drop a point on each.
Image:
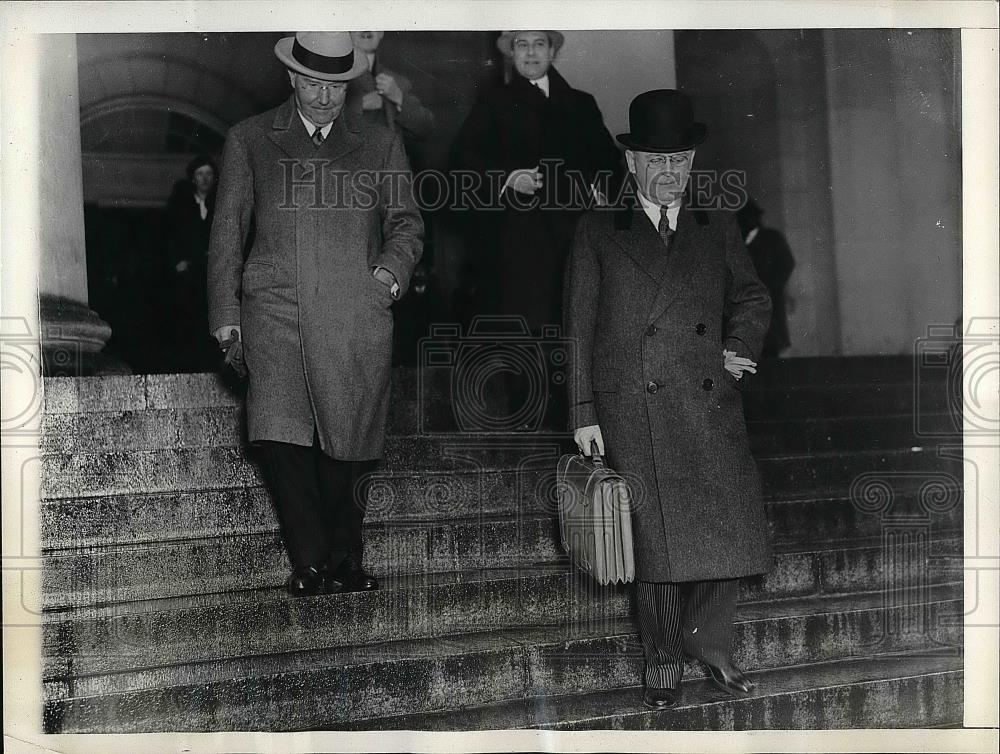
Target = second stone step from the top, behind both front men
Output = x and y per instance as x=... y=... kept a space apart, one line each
x=222 y=426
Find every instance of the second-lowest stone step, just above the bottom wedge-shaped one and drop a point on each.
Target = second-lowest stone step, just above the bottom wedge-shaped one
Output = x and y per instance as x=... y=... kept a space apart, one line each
x=322 y=688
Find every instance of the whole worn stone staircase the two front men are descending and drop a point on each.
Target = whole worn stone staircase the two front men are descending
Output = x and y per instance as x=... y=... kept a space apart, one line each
x=163 y=571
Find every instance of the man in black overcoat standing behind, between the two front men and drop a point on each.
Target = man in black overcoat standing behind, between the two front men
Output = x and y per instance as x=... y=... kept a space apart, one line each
x=545 y=145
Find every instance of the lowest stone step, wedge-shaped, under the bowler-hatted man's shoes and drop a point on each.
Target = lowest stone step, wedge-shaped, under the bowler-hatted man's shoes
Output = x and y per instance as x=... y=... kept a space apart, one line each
x=907 y=690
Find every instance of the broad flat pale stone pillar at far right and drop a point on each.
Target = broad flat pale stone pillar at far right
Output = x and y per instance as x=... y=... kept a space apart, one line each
x=896 y=183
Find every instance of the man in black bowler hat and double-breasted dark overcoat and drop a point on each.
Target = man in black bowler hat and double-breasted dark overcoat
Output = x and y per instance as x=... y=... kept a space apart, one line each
x=667 y=315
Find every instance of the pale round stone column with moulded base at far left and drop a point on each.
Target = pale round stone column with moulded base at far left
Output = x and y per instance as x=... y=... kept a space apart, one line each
x=72 y=334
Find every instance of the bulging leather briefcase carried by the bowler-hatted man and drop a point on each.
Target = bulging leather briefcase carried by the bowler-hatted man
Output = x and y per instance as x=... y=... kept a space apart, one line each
x=595 y=518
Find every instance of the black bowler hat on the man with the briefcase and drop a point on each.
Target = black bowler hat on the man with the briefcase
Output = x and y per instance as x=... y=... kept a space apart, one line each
x=662 y=121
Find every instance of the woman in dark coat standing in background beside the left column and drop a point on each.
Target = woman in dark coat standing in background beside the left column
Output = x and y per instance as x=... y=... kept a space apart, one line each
x=190 y=211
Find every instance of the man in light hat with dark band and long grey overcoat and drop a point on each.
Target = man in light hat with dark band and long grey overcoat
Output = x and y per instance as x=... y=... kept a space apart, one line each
x=311 y=302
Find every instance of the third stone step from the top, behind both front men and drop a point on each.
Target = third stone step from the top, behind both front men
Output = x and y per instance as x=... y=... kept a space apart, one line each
x=75 y=475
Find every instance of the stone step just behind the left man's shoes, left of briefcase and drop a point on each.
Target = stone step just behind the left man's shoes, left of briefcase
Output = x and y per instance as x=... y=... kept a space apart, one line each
x=253 y=561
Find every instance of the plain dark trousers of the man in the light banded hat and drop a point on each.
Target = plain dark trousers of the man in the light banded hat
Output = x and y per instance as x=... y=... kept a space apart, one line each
x=320 y=501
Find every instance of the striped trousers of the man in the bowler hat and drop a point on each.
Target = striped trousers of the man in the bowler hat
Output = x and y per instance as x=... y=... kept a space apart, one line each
x=693 y=618
